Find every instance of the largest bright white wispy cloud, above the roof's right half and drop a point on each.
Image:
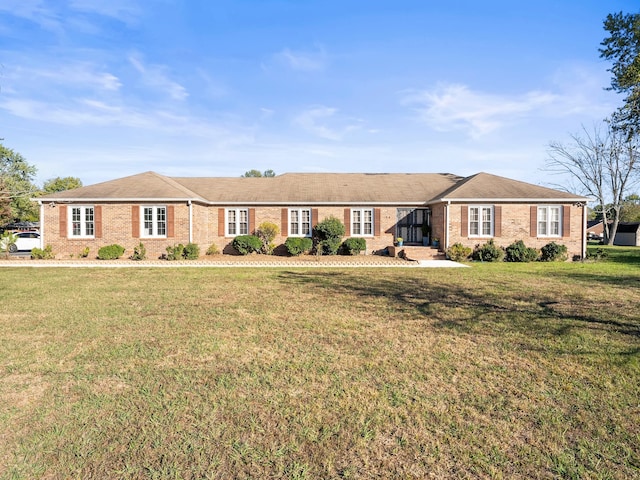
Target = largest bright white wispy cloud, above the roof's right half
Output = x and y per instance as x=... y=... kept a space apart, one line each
x=457 y=107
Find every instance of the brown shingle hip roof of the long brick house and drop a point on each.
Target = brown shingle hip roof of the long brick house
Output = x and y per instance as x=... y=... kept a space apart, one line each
x=311 y=188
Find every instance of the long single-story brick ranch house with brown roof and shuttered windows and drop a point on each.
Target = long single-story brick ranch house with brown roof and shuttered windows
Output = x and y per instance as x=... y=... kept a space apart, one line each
x=160 y=211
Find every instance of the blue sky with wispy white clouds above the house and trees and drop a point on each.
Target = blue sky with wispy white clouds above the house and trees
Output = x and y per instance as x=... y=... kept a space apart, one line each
x=103 y=89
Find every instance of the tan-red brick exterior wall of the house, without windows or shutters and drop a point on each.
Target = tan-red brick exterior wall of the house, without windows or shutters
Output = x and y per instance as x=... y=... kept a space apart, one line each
x=117 y=227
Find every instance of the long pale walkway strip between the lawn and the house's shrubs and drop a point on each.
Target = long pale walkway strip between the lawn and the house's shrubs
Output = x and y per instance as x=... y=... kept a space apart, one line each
x=231 y=261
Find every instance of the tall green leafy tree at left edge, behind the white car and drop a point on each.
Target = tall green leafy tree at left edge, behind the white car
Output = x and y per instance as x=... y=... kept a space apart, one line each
x=16 y=185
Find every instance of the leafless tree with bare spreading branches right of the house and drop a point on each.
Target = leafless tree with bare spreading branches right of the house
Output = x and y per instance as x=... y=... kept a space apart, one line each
x=604 y=165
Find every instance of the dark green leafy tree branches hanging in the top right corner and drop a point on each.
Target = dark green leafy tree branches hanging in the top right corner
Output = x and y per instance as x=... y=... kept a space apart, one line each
x=622 y=47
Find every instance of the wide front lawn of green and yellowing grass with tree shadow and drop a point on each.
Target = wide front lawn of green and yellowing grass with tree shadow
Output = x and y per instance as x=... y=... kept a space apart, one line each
x=494 y=371
